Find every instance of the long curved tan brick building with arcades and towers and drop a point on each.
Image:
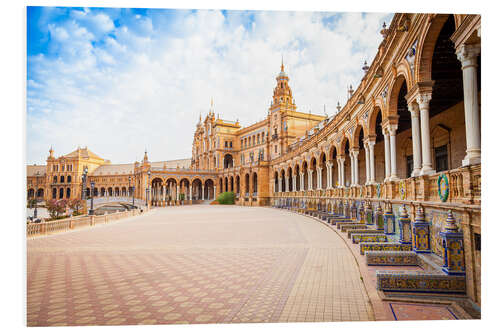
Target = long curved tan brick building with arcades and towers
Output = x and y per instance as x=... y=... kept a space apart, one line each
x=407 y=142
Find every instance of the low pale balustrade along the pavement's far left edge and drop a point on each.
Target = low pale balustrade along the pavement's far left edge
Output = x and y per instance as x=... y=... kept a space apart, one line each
x=63 y=225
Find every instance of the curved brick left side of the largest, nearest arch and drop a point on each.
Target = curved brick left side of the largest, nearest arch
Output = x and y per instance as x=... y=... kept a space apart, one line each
x=425 y=49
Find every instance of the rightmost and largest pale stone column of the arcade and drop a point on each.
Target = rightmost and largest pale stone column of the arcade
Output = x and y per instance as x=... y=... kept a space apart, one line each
x=467 y=54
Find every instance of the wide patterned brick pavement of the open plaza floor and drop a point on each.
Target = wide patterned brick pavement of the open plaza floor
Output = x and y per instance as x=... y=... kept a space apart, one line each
x=197 y=264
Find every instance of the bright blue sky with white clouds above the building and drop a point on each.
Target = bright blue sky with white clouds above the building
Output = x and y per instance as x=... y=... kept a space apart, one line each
x=120 y=80
